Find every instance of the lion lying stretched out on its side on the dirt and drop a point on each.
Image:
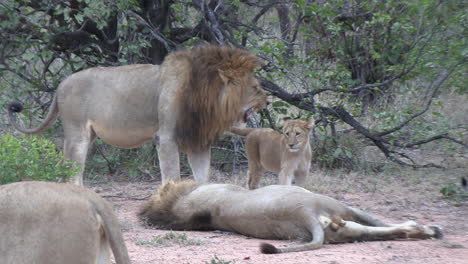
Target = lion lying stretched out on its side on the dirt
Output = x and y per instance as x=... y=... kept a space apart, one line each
x=271 y=212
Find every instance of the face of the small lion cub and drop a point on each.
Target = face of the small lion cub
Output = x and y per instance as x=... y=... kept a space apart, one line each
x=296 y=133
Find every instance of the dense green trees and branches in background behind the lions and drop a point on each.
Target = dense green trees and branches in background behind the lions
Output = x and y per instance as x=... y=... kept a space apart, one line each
x=377 y=68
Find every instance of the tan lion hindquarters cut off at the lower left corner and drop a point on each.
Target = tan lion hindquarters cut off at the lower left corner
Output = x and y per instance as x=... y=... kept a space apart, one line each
x=52 y=223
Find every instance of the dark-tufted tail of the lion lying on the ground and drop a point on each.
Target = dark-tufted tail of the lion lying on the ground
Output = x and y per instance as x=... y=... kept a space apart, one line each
x=318 y=238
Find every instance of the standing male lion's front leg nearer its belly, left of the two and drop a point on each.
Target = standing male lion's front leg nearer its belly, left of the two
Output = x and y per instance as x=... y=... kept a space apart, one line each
x=168 y=153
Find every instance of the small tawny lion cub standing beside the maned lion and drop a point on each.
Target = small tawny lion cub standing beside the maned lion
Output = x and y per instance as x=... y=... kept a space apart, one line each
x=288 y=154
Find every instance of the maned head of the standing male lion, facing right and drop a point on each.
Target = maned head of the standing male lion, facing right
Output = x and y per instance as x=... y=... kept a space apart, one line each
x=221 y=87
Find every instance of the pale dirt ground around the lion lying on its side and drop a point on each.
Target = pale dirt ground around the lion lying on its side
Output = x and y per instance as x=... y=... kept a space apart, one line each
x=408 y=195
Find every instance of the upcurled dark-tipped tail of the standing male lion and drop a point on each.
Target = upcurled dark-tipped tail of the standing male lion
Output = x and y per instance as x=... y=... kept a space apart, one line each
x=16 y=107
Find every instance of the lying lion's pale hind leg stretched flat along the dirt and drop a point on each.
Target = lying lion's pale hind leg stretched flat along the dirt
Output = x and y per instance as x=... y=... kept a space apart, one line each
x=348 y=231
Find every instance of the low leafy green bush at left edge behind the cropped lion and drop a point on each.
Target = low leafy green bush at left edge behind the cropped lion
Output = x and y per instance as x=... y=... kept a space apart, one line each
x=31 y=158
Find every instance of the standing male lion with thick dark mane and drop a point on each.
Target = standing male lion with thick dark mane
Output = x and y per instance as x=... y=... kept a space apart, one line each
x=186 y=102
